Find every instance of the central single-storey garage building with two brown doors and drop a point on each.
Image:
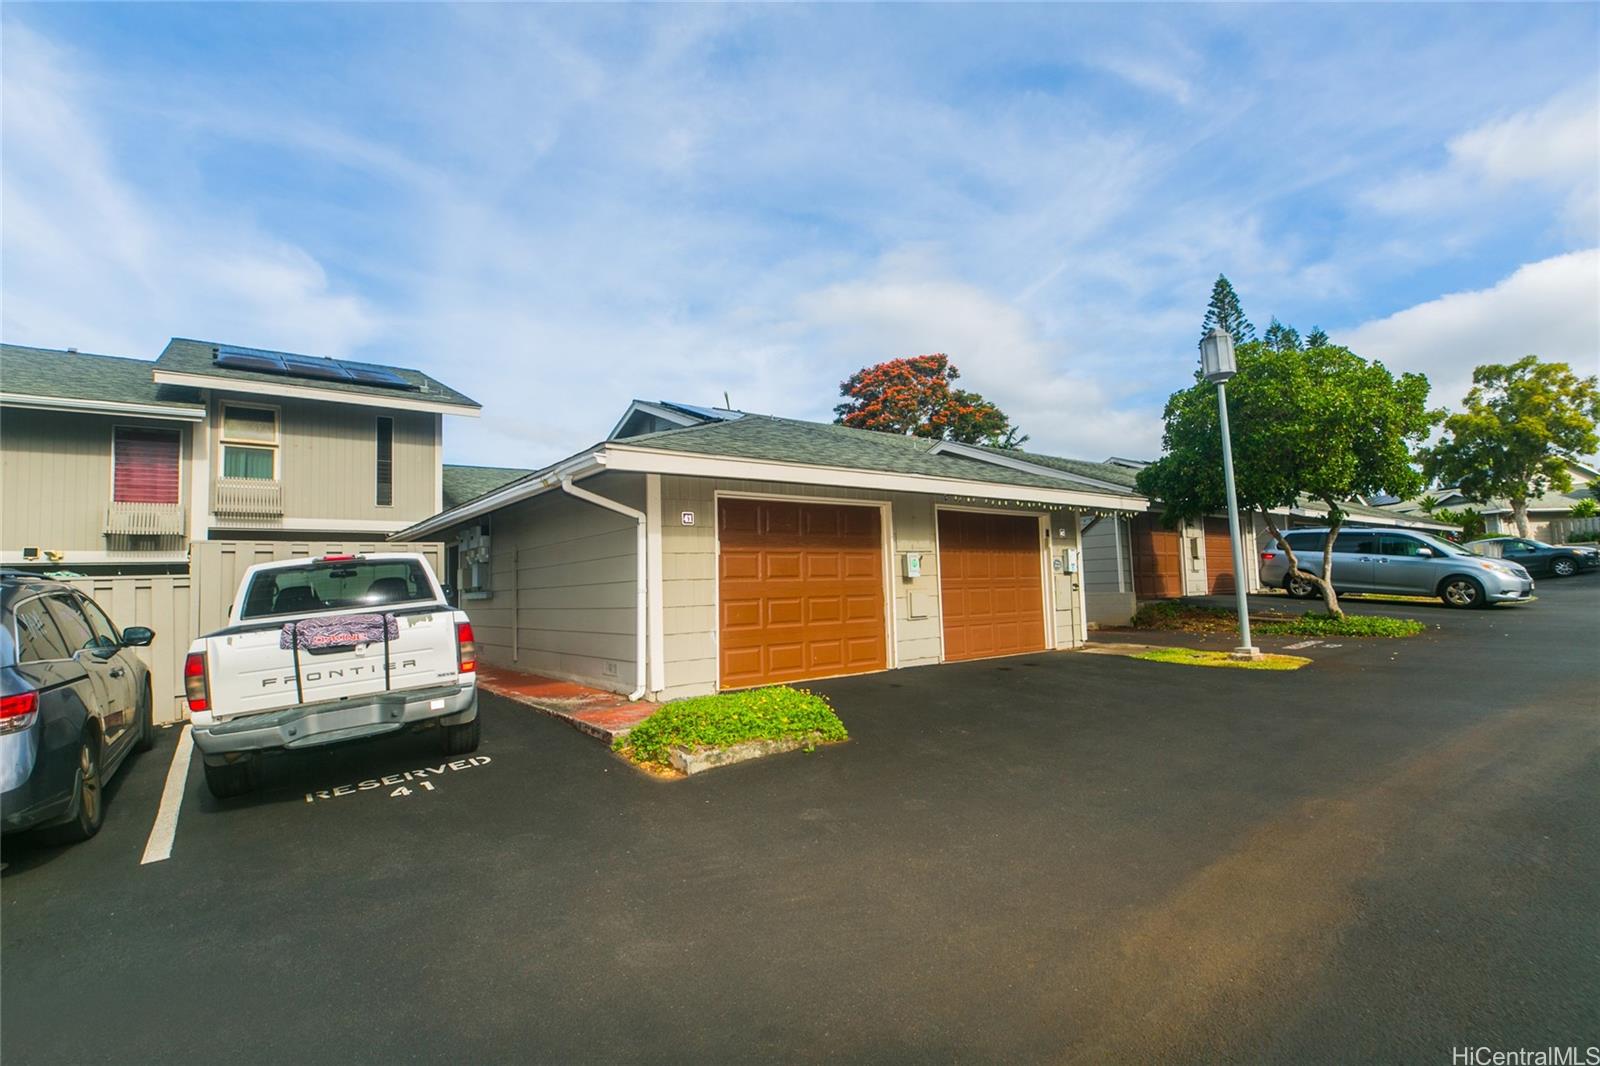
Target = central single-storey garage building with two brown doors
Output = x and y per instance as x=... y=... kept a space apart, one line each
x=742 y=550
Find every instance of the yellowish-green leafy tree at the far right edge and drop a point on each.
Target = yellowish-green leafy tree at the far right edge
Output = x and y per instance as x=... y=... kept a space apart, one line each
x=1519 y=428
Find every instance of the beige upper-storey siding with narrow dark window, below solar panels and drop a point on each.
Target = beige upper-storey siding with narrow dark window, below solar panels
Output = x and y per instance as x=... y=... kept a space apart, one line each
x=329 y=460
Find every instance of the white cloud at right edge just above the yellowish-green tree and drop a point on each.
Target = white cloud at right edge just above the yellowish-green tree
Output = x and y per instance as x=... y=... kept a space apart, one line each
x=1550 y=310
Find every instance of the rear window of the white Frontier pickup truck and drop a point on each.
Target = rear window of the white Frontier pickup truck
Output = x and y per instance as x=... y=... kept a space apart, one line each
x=330 y=587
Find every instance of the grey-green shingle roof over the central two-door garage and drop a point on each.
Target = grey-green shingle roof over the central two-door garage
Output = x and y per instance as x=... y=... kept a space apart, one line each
x=826 y=444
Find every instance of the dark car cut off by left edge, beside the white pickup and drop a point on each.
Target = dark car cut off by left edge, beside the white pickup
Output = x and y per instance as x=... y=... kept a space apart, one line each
x=74 y=703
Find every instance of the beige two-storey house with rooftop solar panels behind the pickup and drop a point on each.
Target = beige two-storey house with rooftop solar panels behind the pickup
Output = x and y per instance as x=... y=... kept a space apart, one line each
x=114 y=463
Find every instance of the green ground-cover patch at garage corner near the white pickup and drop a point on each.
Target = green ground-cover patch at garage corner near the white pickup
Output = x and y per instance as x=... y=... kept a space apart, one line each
x=732 y=718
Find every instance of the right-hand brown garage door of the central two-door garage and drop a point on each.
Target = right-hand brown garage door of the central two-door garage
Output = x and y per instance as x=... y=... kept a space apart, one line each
x=991 y=591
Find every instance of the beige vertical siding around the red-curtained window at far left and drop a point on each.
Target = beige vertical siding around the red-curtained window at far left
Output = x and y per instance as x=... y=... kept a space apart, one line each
x=55 y=478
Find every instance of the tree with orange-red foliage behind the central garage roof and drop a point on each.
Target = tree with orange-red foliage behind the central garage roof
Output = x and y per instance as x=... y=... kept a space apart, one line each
x=916 y=398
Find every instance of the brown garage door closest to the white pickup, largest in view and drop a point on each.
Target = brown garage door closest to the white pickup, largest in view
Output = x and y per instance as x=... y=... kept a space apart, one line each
x=801 y=591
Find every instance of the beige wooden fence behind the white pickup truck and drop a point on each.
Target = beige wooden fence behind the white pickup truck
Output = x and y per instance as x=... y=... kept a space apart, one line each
x=182 y=607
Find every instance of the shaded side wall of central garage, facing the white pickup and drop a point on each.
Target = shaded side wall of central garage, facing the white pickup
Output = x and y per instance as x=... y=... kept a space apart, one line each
x=564 y=580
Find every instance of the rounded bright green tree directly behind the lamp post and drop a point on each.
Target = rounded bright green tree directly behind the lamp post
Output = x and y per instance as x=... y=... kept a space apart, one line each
x=1321 y=423
